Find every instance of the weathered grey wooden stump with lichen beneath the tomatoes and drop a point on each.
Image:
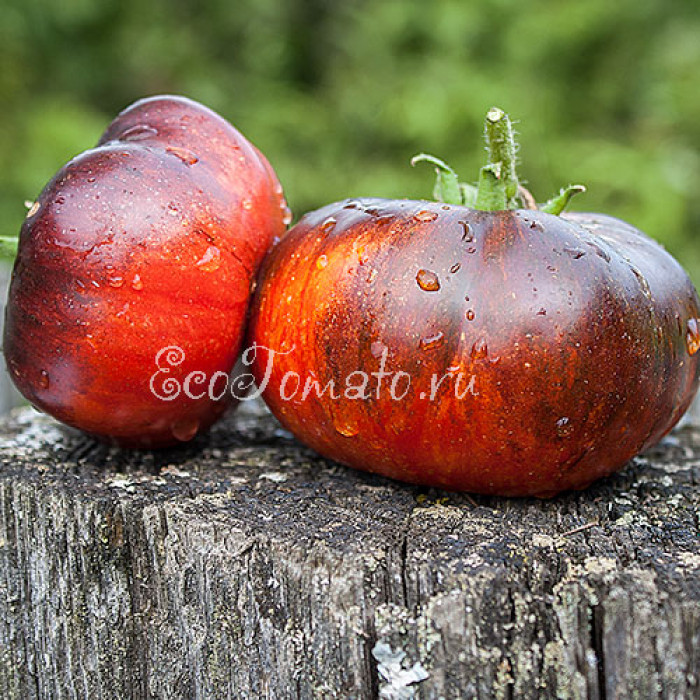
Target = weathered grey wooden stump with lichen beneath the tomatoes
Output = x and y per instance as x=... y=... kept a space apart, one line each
x=245 y=566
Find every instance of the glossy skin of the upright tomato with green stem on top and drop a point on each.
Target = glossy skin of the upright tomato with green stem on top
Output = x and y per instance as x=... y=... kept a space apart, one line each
x=574 y=330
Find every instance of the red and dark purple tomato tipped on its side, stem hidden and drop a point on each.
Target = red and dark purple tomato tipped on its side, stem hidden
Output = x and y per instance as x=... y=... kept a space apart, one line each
x=151 y=239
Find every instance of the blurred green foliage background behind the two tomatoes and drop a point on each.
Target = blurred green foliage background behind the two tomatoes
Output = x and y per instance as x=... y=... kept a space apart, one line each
x=340 y=95
